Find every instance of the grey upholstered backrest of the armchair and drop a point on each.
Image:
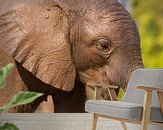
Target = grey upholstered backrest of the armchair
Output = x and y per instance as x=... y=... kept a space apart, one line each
x=143 y=77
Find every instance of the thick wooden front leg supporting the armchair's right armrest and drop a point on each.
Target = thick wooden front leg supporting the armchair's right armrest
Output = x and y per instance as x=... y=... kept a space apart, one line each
x=146 y=110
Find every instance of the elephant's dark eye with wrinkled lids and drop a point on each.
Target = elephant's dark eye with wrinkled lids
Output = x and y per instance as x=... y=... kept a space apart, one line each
x=103 y=44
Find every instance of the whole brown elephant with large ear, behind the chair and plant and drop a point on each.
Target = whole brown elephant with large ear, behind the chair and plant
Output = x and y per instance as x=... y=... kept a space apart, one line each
x=59 y=45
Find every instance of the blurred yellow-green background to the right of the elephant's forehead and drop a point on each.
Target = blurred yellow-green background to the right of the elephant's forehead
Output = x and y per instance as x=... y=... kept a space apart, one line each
x=149 y=19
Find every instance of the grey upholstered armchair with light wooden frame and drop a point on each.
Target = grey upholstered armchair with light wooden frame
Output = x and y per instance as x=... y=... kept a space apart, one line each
x=138 y=107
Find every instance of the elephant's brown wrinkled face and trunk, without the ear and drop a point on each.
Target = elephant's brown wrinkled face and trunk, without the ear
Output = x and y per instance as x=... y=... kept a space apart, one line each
x=107 y=46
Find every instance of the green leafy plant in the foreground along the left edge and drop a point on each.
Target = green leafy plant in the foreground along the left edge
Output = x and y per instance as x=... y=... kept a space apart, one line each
x=20 y=98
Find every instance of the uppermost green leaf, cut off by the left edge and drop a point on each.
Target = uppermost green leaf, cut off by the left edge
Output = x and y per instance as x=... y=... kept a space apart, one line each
x=4 y=72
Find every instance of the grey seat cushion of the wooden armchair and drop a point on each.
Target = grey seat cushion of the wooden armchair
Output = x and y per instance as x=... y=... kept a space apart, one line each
x=131 y=111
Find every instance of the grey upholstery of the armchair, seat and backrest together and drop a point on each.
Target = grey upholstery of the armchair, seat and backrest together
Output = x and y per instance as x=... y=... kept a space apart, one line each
x=132 y=105
